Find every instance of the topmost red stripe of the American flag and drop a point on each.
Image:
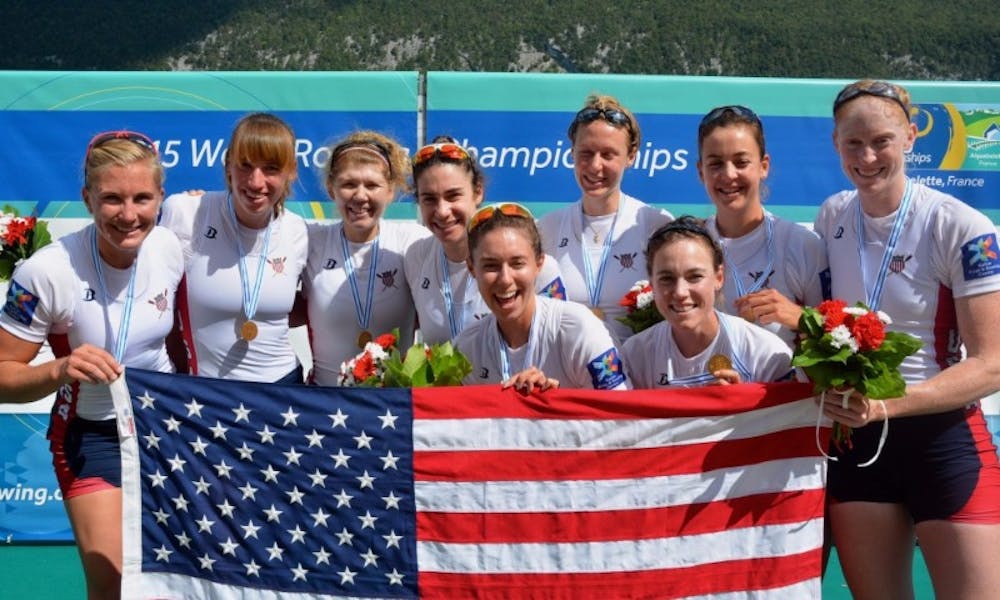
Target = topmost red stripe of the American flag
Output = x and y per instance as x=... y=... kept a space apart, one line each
x=491 y=402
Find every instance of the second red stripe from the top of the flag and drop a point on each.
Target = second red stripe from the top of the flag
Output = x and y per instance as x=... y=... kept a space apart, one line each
x=567 y=465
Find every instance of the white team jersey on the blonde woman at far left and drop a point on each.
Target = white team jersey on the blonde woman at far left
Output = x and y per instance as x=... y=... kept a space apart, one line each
x=57 y=291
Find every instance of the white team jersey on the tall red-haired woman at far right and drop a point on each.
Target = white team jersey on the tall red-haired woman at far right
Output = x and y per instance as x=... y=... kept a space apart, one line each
x=947 y=250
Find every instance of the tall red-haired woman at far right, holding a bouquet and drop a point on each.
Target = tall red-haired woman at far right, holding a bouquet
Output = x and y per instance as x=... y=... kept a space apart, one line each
x=929 y=262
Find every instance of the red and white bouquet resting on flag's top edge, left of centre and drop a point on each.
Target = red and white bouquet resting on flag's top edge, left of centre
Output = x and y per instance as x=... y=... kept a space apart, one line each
x=381 y=364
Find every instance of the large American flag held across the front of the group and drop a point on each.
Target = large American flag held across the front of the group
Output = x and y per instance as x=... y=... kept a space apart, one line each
x=237 y=489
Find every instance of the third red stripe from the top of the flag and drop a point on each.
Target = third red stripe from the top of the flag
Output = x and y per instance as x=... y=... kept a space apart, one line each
x=617 y=525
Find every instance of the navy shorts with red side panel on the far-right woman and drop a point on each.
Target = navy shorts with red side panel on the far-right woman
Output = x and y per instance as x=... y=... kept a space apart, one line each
x=941 y=467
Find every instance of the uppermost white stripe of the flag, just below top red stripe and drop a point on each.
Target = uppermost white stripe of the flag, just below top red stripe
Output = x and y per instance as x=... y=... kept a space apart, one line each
x=546 y=434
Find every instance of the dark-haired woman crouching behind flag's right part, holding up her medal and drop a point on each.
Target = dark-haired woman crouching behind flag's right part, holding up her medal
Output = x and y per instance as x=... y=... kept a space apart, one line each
x=696 y=344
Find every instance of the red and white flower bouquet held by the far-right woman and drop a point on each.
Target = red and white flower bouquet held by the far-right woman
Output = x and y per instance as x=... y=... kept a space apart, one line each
x=845 y=347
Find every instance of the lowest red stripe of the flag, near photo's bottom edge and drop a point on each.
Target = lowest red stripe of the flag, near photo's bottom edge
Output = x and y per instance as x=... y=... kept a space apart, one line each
x=704 y=579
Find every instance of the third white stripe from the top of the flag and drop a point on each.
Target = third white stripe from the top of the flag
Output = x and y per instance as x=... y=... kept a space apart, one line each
x=628 y=555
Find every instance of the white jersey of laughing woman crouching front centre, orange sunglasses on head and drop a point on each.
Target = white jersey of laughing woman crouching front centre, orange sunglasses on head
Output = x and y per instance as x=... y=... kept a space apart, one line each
x=567 y=343
